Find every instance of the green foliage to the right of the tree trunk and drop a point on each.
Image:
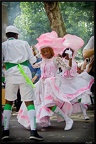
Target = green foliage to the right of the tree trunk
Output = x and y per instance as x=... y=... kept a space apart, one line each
x=78 y=18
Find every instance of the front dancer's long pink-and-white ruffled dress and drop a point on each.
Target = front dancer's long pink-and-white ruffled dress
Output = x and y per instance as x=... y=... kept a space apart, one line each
x=45 y=96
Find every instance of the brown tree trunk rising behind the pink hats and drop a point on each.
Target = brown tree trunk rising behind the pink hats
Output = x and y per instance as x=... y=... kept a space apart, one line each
x=56 y=22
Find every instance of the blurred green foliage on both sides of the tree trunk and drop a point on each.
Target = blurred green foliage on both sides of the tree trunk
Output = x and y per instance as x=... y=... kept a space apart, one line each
x=31 y=19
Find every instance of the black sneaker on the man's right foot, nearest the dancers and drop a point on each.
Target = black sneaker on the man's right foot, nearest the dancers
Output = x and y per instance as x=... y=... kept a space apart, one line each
x=34 y=135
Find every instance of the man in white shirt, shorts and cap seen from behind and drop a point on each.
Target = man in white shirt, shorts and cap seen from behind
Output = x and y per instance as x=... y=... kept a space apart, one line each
x=14 y=52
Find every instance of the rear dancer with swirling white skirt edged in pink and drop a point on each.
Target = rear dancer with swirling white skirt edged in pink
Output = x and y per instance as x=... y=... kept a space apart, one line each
x=76 y=86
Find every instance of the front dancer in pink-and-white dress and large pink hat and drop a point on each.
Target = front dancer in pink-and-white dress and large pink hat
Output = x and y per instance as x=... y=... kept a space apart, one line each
x=49 y=98
